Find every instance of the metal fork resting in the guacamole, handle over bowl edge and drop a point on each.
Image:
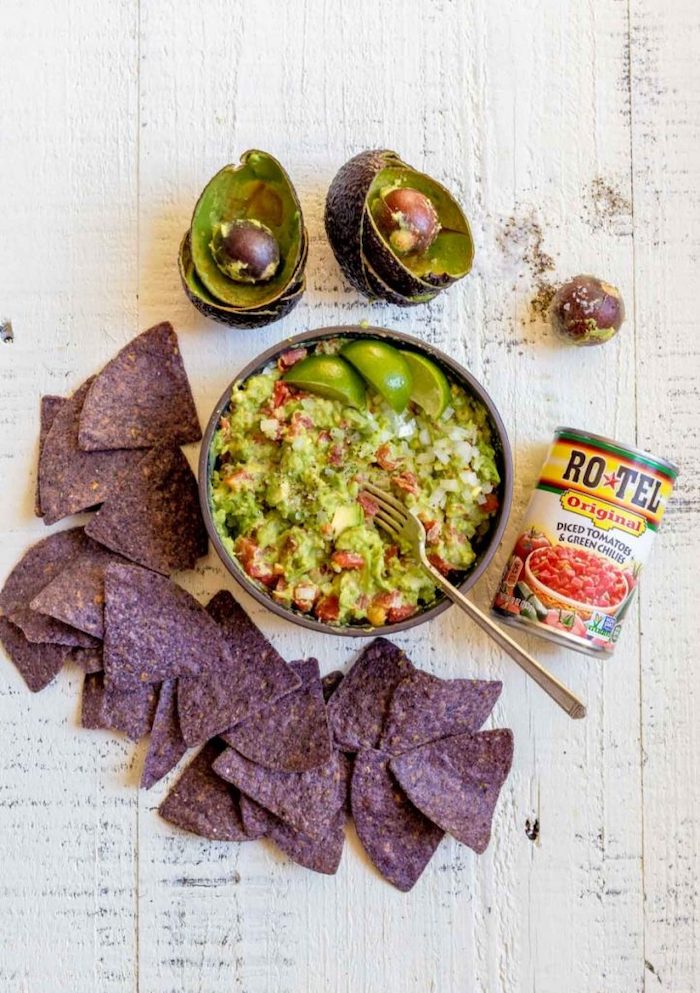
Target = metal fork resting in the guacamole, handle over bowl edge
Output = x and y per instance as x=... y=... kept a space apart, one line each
x=398 y=522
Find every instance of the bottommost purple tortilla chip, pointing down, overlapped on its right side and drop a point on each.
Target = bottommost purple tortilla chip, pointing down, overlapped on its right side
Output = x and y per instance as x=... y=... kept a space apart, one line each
x=399 y=840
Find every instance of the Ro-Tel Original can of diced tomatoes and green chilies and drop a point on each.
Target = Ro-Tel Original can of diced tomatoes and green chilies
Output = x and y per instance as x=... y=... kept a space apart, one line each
x=588 y=531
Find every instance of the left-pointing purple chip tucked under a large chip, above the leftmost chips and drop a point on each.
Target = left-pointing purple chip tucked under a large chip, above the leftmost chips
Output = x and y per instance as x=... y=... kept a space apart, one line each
x=76 y=596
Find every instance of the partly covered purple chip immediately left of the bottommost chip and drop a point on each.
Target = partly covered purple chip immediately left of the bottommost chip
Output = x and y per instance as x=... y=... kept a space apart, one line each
x=318 y=854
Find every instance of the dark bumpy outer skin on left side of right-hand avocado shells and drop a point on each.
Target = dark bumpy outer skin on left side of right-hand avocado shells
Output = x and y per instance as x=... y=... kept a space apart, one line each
x=345 y=204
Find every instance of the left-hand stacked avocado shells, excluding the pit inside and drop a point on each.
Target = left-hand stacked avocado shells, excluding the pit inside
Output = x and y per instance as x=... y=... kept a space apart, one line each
x=258 y=189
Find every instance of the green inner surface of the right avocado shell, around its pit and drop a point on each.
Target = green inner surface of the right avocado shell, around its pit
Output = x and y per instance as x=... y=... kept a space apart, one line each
x=452 y=252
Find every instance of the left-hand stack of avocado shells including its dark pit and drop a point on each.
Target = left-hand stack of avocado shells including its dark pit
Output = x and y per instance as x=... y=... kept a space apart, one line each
x=246 y=213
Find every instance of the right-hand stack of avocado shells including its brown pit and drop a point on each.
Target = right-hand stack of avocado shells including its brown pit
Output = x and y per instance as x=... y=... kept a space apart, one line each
x=397 y=233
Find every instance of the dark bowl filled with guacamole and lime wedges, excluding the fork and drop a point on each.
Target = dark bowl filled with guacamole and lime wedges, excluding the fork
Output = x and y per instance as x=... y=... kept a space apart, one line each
x=281 y=480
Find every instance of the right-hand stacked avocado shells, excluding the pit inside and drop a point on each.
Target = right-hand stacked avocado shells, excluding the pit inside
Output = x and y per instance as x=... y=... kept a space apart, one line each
x=361 y=249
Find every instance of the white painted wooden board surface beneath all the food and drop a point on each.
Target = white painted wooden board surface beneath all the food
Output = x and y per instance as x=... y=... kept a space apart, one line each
x=571 y=131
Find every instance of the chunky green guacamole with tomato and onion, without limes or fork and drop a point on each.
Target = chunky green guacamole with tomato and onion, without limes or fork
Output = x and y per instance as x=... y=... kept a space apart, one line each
x=286 y=493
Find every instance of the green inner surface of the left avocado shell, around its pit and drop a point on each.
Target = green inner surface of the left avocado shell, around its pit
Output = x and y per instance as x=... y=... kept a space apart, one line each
x=258 y=189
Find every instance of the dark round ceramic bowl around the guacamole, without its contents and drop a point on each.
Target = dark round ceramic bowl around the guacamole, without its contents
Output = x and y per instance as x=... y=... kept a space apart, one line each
x=454 y=372
